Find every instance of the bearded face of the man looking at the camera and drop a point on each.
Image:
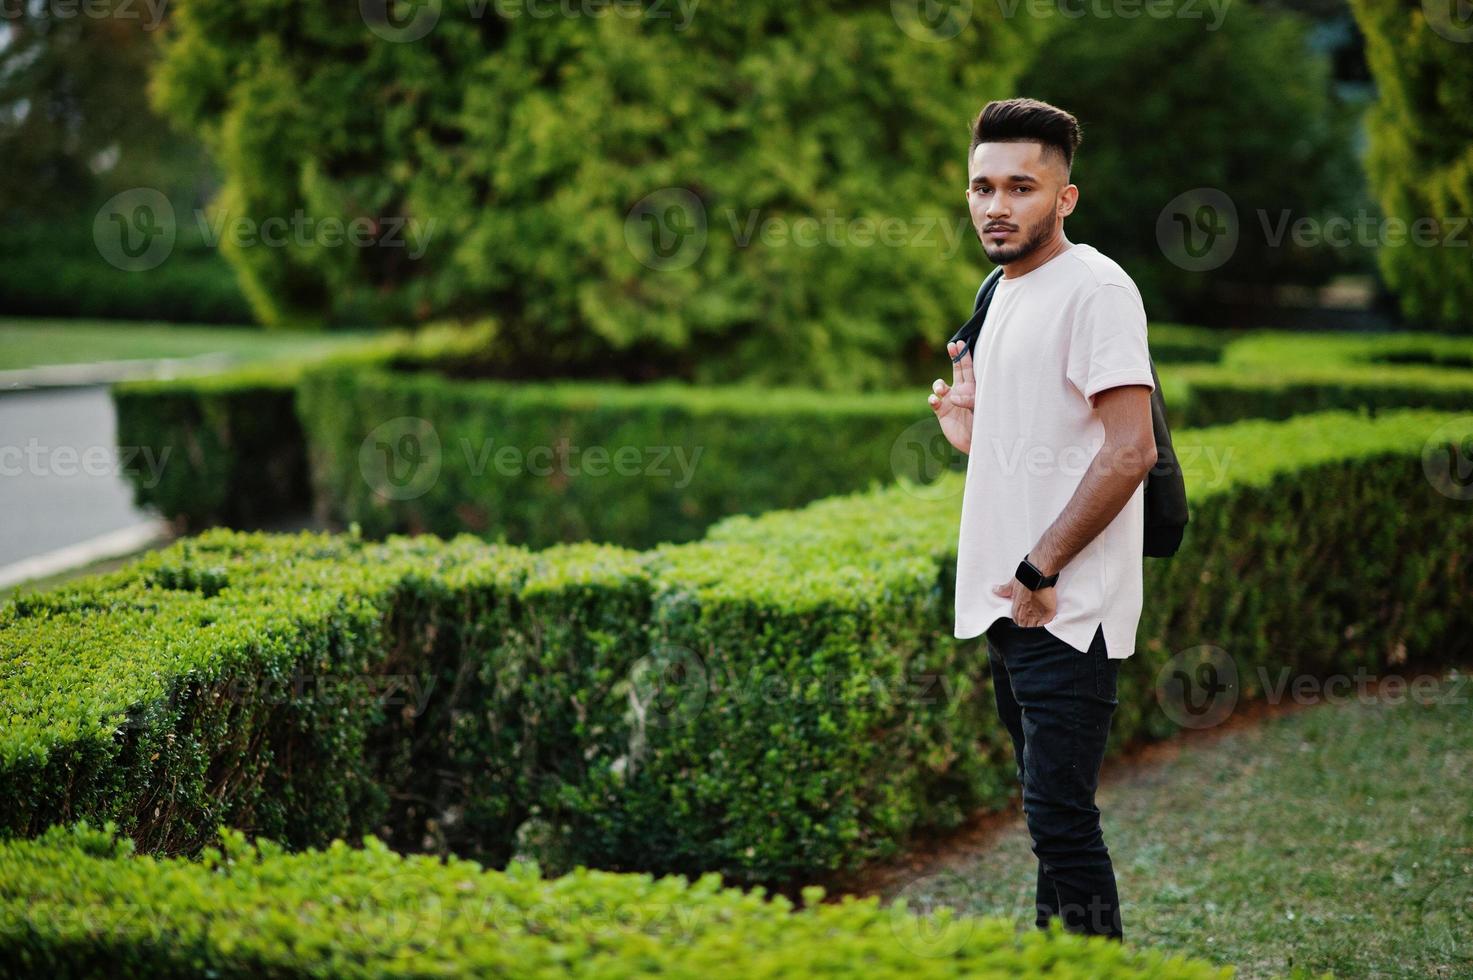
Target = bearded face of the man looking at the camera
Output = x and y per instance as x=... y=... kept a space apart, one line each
x=1019 y=198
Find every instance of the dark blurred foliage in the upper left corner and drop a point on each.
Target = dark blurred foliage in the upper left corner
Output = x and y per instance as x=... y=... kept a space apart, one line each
x=76 y=129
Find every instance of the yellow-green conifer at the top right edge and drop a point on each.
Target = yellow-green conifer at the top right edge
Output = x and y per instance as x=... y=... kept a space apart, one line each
x=1421 y=154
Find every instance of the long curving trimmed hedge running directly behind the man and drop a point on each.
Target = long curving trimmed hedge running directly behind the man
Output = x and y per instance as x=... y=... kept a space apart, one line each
x=780 y=701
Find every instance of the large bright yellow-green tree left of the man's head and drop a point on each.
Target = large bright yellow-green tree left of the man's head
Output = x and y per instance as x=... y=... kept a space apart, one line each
x=725 y=189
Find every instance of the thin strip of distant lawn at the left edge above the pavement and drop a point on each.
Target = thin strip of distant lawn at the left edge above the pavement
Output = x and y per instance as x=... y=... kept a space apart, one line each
x=26 y=343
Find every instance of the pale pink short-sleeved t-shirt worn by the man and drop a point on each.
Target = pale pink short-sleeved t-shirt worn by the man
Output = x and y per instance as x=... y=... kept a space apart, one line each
x=1054 y=338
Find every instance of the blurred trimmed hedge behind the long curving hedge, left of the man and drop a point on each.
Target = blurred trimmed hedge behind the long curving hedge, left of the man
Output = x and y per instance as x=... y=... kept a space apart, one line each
x=587 y=462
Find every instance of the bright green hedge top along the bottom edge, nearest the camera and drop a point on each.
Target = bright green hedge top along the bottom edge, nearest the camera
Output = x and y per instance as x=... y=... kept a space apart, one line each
x=79 y=904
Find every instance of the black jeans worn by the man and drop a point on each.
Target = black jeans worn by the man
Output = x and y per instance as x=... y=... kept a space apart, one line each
x=1058 y=705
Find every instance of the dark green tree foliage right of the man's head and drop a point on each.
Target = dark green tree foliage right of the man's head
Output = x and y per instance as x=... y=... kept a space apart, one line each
x=1172 y=102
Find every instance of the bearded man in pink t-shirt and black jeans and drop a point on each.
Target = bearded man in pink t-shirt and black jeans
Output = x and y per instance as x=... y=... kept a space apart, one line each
x=1055 y=418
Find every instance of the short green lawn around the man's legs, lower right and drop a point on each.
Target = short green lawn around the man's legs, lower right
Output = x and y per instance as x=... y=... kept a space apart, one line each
x=1338 y=838
